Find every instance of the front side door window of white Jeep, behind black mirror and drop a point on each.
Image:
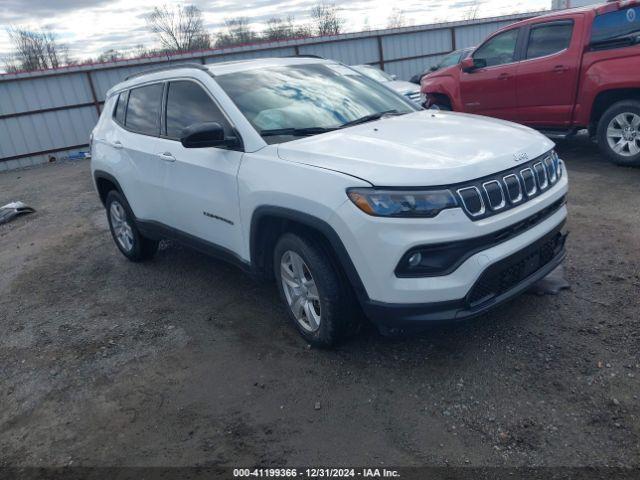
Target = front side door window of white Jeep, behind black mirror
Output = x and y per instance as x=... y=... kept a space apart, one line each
x=188 y=103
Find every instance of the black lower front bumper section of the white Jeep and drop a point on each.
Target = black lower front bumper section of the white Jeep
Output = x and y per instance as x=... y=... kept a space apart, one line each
x=499 y=283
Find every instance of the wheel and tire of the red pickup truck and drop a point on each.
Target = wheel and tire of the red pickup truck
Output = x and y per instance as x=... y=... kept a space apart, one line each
x=623 y=119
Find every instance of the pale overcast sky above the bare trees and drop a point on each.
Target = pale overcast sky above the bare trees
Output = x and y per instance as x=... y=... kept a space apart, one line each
x=89 y=27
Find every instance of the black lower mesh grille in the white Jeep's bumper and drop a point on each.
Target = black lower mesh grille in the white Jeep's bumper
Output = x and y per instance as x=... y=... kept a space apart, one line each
x=506 y=274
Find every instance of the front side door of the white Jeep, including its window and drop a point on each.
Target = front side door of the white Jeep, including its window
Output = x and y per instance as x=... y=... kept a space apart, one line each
x=201 y=190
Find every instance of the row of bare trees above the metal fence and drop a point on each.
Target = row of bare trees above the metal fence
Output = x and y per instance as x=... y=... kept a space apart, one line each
x=177 y=29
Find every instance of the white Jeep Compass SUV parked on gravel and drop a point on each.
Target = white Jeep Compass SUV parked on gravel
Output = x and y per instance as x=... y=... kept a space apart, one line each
x=353 y=199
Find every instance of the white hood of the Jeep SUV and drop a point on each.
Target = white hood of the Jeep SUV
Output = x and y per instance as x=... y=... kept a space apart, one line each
x=425 y=148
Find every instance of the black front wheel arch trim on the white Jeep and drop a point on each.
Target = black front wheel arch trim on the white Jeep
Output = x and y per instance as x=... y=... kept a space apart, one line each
x=317 y=224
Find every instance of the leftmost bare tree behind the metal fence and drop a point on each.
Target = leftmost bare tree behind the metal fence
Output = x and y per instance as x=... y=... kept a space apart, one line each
x=35 y=50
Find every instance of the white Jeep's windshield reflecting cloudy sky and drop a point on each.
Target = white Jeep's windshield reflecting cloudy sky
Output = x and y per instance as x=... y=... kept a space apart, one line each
x=309 y=99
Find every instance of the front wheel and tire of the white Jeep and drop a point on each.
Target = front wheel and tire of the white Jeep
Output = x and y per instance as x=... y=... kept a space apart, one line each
x=329 y=316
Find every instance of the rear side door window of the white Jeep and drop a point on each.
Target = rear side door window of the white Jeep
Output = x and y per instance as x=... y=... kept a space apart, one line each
x=143 y=110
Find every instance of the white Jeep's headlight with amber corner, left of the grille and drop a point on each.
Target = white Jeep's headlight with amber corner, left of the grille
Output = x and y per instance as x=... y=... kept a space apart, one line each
x=402 y=203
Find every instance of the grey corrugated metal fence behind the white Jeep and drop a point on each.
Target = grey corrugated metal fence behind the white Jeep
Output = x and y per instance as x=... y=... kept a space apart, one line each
x=49 y=114
